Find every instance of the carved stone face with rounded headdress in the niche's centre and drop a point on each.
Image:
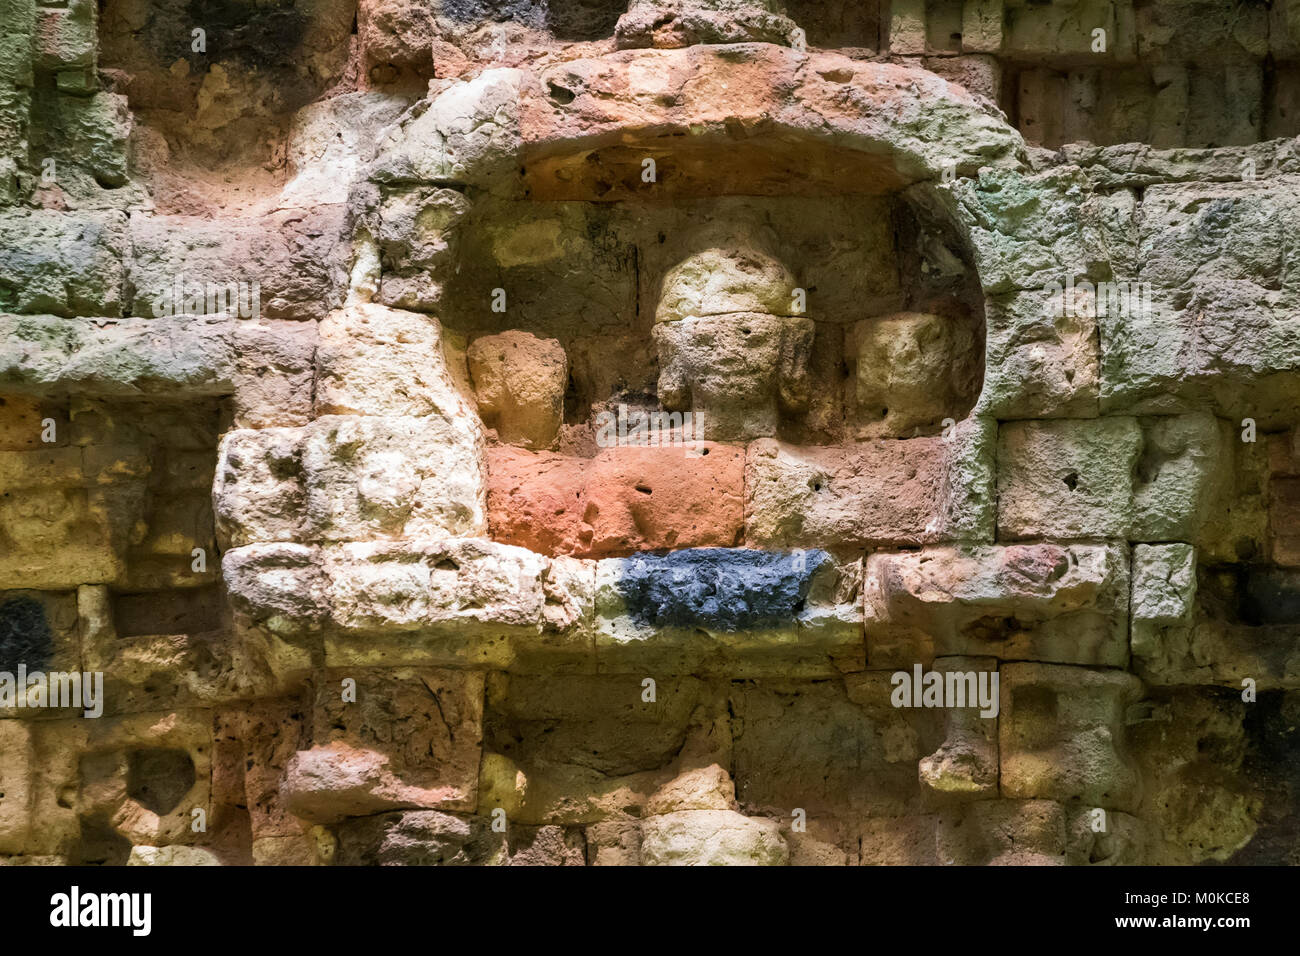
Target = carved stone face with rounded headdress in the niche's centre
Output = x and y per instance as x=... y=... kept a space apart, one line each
x=730 y=348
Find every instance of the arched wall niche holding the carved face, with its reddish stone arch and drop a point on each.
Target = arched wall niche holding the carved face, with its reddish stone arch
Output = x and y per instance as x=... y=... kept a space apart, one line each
x=688 y=231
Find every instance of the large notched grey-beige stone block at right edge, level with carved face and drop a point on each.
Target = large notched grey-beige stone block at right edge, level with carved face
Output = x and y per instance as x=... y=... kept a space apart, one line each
x=1220 y=328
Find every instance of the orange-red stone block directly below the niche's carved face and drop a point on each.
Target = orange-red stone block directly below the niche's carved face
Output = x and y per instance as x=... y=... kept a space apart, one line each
x=626 y=500
